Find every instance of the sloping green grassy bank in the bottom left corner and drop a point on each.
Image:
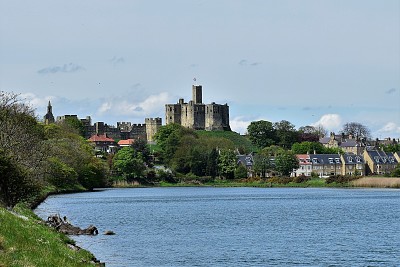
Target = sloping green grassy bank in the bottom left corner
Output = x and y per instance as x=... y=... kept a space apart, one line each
x=26 y=241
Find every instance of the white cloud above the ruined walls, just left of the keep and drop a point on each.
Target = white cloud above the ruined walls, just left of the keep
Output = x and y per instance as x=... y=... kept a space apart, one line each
x=121 y=106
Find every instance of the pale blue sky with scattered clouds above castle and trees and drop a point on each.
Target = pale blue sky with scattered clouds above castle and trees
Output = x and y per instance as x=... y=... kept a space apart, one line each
x=310 y=62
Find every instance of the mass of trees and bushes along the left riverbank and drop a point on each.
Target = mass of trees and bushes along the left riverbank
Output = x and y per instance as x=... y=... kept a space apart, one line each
x=36 y=158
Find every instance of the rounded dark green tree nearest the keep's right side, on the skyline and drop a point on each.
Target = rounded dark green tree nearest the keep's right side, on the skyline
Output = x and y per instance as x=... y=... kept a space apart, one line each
x=262 y=133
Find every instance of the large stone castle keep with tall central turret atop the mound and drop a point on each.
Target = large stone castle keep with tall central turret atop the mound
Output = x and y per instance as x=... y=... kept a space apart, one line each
x=196 y=115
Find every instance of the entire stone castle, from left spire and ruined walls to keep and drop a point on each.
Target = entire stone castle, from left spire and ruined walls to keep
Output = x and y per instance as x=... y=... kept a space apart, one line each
x=194 y=115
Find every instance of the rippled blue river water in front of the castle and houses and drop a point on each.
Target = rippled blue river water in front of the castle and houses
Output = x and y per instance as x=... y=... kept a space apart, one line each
x=204 y=226
